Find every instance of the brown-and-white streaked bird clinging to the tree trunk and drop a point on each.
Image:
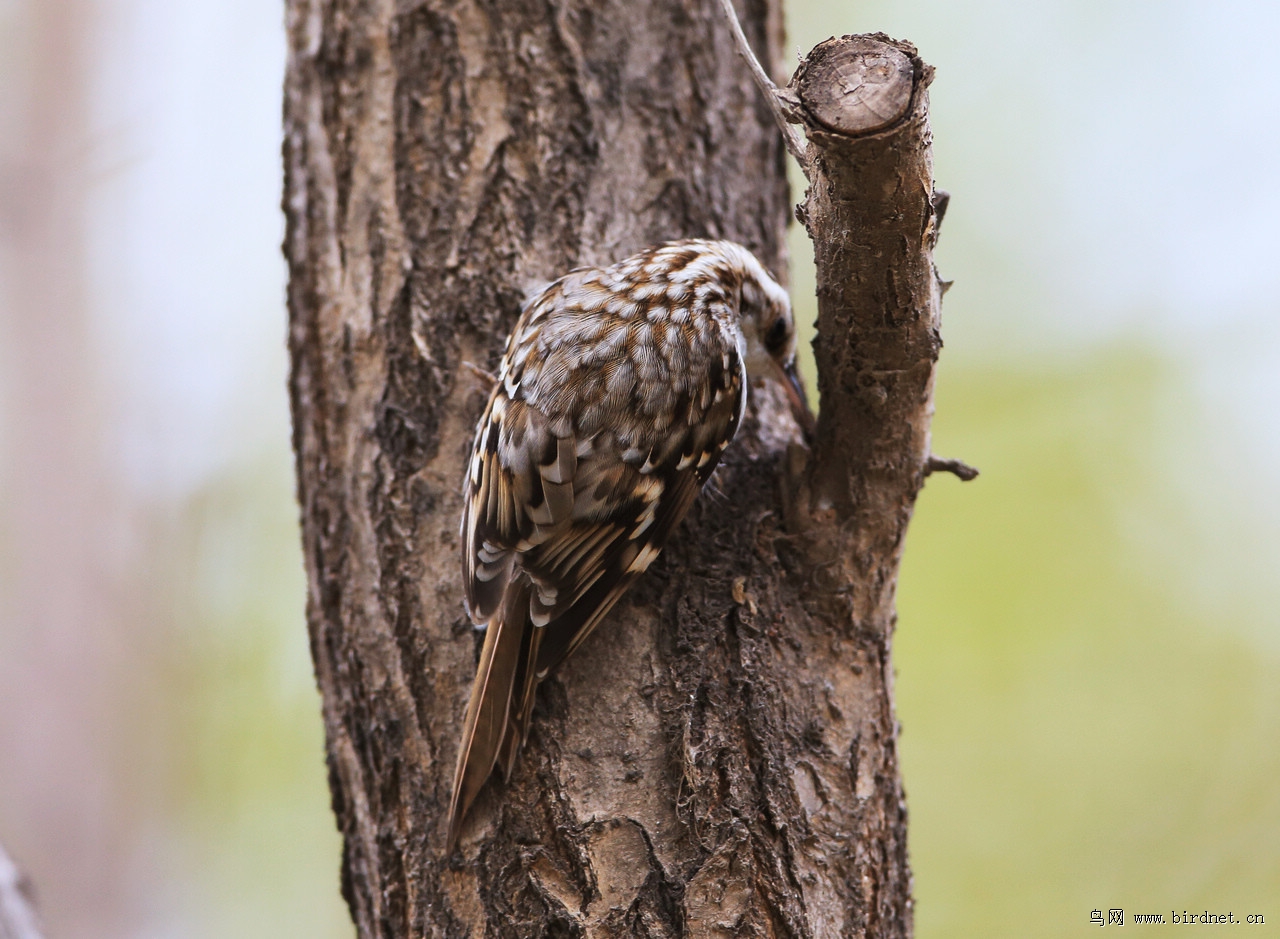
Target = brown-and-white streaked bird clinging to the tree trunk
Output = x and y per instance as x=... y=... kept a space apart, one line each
x=619 y=391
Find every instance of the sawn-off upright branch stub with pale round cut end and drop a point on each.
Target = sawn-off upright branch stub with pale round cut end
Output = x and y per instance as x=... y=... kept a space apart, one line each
x=871 y=214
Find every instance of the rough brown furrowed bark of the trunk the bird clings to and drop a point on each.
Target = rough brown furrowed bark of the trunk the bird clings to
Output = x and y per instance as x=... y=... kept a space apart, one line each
x=719 y=759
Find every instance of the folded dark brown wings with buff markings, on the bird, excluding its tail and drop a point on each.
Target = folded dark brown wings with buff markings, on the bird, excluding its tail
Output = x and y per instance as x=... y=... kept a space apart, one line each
x=582 y=517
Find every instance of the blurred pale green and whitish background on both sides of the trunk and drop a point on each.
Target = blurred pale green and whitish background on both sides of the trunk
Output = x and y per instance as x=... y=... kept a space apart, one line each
x=1089 y=654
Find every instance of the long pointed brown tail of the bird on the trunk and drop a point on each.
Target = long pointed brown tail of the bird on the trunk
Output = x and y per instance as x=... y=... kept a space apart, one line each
x=504 y=662
